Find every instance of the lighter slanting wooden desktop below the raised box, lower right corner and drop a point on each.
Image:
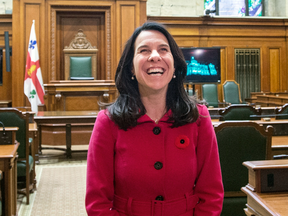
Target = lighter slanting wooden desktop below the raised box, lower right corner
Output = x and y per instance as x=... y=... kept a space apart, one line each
x=268 y=204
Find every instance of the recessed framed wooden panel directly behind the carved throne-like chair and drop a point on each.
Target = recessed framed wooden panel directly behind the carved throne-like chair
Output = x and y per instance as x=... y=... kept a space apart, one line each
x=66 y=21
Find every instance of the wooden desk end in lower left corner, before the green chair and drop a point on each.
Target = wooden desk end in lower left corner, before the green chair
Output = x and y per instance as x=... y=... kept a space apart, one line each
x=8 y=164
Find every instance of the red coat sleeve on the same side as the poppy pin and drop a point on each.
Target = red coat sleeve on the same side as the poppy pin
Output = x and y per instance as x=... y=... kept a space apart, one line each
x=208 y=186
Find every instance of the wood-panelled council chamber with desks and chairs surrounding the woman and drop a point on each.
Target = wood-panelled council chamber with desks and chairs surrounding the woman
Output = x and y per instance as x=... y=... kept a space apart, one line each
x=236 y=66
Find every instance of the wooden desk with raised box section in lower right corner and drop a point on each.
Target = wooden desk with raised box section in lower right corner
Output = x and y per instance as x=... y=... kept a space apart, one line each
x=267 y=175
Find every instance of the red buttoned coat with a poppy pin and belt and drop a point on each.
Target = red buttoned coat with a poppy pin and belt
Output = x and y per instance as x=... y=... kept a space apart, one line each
x=132 y=168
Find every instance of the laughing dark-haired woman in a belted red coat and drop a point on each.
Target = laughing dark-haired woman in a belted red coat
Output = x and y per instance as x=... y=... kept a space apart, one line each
x=154 y=151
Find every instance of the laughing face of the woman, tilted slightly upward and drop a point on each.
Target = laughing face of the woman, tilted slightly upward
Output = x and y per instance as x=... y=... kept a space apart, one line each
x=153 y=63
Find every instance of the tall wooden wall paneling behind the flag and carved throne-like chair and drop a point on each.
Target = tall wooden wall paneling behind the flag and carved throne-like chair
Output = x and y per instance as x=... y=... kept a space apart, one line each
x=60 y=20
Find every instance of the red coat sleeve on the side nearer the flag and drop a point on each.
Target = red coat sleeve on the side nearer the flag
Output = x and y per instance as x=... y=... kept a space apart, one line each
x=100 y=168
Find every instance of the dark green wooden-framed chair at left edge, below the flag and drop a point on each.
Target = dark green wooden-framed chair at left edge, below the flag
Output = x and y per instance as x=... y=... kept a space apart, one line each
x=12 y=117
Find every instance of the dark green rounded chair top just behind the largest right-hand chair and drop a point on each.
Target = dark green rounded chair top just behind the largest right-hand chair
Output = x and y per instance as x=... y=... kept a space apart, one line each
x=239 y=112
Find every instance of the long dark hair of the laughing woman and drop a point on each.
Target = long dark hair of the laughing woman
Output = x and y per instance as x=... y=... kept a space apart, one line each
x=128 y=107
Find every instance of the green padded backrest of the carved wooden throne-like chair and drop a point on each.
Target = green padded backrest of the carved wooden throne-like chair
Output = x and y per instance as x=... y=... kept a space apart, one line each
x=81 y=68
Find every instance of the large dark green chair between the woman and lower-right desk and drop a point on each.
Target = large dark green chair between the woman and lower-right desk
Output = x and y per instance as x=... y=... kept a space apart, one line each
x=240 y=141
